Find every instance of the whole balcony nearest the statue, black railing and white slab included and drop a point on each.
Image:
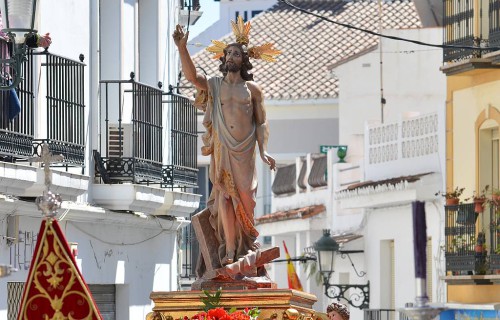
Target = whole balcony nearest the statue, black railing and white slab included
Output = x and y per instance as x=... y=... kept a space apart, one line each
x=133 y=161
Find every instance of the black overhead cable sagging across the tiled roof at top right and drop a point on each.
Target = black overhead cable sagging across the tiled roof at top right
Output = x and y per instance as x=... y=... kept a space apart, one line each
x=346 y=25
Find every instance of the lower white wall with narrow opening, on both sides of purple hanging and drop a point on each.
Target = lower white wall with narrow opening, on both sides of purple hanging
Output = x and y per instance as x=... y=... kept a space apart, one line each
x=396 y=224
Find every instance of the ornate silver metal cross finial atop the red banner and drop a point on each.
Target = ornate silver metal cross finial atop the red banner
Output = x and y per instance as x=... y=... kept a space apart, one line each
x=48 y=203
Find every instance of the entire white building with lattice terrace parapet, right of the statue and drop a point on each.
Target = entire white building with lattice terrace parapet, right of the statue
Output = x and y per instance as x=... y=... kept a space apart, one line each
x=367 y=200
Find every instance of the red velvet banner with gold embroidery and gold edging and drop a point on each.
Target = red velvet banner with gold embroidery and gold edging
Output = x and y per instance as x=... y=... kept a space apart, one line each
x=55 y=289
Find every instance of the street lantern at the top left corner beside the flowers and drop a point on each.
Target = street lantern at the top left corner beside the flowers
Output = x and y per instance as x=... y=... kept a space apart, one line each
x=19 y=20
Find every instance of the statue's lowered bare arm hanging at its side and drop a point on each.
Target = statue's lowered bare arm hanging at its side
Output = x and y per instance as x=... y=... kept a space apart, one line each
x=261 y=126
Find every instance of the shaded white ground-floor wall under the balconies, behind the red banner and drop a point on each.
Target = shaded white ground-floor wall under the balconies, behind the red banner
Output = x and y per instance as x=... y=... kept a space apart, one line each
x=136 y=259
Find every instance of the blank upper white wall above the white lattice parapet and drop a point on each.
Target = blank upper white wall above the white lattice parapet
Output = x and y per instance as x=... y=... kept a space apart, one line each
x=412 y=81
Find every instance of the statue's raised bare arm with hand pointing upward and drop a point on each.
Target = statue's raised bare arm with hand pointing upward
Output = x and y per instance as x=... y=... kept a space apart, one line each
x=180 y=40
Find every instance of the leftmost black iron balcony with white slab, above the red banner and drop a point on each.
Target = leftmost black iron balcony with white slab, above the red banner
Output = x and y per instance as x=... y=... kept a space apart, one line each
x=47 y=107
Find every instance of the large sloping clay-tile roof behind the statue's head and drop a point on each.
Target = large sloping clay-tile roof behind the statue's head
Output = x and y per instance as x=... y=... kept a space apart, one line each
x=310 y=45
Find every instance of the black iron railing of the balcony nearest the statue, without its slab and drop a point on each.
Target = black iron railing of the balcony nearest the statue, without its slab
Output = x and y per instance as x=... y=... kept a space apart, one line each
x=131 y=136
